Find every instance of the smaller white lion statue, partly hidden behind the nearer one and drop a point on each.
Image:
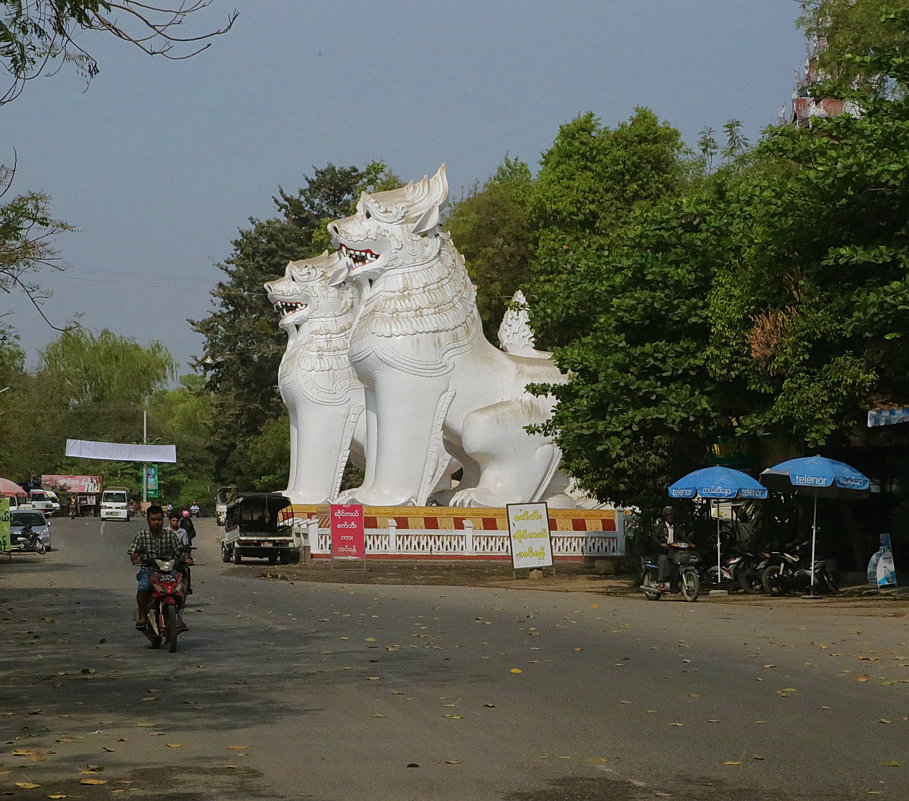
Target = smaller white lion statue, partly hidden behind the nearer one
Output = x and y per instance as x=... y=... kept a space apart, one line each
x=323 y=396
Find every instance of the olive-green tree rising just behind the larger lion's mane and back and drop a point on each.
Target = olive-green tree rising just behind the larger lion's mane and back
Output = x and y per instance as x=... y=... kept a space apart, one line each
x=491 y=227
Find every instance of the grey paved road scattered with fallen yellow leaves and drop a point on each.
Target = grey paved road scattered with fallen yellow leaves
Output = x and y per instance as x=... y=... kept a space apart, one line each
x=287 y=690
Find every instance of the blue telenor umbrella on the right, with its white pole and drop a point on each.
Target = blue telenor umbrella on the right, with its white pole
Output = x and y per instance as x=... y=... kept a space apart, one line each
x=822 y=477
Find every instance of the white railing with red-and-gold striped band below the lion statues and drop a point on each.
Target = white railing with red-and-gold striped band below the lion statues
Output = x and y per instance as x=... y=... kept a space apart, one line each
x=436 y=532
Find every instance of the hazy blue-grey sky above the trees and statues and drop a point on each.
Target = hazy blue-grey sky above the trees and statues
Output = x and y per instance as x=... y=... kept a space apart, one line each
x=158 y=164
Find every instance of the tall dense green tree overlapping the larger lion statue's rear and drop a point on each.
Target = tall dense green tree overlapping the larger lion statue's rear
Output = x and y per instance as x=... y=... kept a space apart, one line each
x=620 y=290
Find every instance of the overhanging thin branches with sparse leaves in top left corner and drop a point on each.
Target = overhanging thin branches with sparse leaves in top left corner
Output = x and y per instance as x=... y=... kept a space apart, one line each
x=34 y=33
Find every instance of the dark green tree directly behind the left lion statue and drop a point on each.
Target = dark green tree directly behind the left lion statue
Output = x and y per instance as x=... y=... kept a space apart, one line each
x=243 y=344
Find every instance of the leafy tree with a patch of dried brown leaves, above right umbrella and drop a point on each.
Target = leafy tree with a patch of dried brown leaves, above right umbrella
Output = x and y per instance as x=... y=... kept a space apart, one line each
x=811 y=312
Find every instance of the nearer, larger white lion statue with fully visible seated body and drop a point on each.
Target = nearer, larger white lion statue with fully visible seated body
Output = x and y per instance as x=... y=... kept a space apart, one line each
x=435 y=388
